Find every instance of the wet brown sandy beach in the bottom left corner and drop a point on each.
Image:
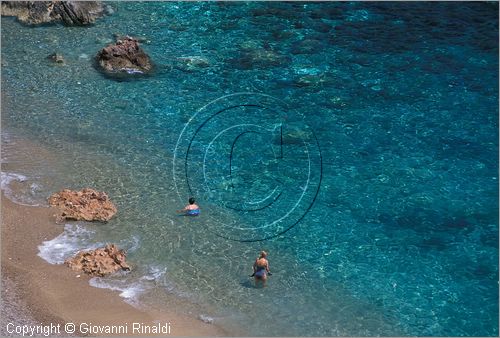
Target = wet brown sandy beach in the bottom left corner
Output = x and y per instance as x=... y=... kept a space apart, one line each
x=53 y=294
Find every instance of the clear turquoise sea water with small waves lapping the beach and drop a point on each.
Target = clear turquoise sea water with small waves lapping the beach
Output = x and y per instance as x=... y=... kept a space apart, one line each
x=402 y=98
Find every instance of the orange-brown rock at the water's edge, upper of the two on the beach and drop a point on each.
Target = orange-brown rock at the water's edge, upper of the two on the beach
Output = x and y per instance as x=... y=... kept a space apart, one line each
x=87 y=205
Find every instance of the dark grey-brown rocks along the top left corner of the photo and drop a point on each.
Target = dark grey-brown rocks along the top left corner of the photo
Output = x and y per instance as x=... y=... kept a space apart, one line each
x=72 y=13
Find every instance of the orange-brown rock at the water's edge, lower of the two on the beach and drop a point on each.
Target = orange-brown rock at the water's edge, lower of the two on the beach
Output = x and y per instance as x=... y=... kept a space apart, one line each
x=99 y=262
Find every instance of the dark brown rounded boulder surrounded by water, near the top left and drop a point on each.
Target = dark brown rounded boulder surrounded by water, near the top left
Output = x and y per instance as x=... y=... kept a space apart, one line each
x=125 y=57
